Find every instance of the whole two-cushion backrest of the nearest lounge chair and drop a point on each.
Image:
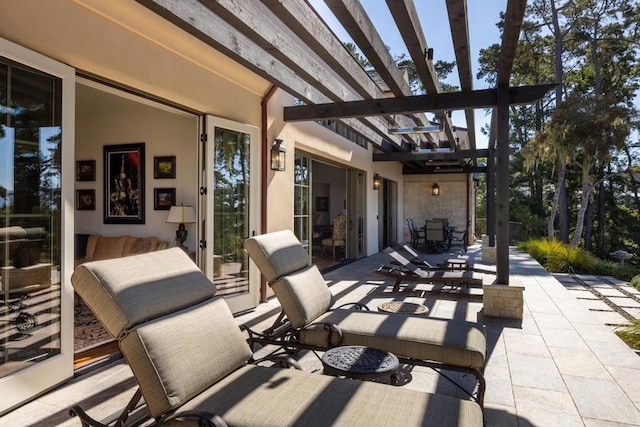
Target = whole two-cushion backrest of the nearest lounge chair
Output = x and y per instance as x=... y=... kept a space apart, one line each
x=177 y=338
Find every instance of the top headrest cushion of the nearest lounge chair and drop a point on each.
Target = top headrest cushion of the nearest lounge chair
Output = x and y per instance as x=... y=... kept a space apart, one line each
x=133 y=289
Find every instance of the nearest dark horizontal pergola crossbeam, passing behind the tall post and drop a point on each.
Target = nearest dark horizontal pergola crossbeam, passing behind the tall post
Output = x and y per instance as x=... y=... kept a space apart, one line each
x=484 y=98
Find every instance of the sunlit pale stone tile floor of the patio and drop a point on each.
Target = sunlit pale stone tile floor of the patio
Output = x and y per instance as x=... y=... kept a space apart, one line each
x=562 y=365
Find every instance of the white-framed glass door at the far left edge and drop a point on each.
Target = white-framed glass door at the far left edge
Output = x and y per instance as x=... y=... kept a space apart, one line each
x=36 y=324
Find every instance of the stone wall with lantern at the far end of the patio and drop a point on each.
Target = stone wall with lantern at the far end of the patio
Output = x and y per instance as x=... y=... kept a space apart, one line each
x=452 y=202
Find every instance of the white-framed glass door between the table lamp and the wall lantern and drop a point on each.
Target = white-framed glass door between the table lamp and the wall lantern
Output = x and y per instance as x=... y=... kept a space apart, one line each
x=231 y=211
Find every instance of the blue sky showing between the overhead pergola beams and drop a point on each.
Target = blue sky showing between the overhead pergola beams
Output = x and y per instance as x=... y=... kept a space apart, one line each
x=482 y=16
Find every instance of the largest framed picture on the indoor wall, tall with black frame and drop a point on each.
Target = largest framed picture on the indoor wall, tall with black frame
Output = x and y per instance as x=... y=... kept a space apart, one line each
x=124 y=191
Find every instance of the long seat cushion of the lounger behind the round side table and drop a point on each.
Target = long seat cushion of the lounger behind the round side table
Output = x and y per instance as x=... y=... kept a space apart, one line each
x=453 y=342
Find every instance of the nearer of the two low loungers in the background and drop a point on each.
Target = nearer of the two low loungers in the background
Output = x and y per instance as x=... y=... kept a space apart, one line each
x=408 y=271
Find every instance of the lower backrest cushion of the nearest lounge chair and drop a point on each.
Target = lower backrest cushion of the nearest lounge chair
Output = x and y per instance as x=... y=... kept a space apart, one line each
x=176 y=357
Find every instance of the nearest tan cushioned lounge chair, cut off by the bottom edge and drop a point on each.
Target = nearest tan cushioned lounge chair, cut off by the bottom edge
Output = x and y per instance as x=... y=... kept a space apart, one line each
x=194 y=367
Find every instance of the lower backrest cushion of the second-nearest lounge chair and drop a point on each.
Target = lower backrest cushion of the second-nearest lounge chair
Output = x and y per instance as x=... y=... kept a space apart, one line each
x=303 y=295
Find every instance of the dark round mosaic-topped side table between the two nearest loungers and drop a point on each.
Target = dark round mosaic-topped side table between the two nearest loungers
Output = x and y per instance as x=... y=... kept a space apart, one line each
x=359 y=362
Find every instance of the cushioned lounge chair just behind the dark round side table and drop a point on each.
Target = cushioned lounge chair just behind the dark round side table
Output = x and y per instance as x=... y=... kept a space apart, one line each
x=308 y=322
